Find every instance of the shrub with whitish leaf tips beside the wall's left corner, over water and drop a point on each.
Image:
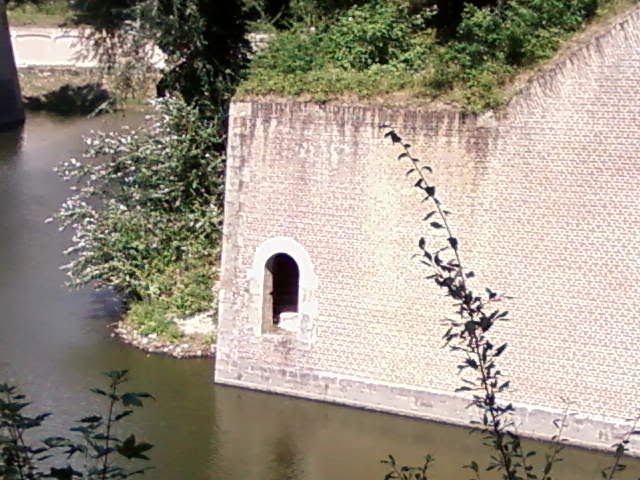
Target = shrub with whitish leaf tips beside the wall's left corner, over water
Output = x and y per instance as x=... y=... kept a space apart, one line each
x=146 y=209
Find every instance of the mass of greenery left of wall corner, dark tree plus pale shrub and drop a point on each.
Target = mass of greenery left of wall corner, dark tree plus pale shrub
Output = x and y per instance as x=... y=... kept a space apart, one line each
x=147 y=210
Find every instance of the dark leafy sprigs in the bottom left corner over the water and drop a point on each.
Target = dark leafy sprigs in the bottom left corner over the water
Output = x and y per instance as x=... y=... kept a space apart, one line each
x=90 y=454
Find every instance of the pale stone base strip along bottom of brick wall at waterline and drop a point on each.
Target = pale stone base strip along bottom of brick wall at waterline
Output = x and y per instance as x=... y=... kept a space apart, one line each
x=587 y=431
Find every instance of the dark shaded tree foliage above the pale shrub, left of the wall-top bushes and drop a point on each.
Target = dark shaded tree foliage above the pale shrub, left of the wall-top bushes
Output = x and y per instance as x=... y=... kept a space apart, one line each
x=204 y=41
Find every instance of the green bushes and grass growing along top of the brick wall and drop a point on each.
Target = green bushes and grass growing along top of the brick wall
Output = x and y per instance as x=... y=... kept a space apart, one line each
x=465 y=53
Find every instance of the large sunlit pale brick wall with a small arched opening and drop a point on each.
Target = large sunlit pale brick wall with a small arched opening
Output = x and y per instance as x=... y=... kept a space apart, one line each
x=545 y=202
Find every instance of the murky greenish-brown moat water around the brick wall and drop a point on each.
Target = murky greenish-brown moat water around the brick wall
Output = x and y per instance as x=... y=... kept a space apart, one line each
x=54 y=343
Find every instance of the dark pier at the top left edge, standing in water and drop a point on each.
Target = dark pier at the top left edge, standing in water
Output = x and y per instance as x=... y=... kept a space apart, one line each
x=11 y=109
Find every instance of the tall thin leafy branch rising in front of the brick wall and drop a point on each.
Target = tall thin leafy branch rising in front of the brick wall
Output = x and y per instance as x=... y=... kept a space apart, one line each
x=468 y=334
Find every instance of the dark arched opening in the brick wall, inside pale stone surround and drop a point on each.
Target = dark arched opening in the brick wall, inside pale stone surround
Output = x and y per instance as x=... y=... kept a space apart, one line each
x=281 y=289
